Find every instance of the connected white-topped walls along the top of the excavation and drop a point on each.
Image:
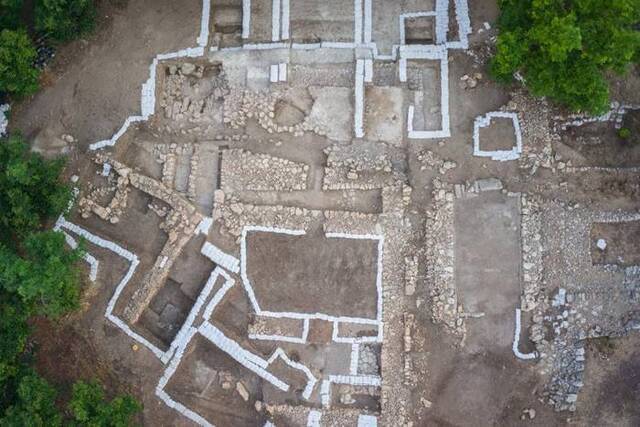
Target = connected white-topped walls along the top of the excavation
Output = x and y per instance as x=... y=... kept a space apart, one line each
x=362 y=40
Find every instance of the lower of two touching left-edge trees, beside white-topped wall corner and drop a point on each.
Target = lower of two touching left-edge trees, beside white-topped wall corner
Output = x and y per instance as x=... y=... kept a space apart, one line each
x=46 y=277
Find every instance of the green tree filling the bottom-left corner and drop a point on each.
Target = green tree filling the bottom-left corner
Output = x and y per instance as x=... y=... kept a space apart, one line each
x=34 y=406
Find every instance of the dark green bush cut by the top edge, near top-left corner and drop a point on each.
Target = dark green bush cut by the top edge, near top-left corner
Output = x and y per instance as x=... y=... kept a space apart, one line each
x=64 y=20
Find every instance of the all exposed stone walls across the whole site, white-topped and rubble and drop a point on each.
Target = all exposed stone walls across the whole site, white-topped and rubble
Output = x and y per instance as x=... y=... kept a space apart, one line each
x=344 y=172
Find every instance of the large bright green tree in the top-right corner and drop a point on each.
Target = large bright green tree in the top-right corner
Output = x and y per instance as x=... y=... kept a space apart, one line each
x=564 y=48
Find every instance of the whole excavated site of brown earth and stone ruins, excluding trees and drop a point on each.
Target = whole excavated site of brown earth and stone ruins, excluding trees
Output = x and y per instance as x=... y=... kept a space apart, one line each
x=294 y=227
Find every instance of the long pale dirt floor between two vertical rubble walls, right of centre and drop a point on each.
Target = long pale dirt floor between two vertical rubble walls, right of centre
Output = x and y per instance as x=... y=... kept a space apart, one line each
x=488 y=267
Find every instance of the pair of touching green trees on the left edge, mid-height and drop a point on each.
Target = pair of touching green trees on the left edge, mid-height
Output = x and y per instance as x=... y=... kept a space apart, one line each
x=36 y=266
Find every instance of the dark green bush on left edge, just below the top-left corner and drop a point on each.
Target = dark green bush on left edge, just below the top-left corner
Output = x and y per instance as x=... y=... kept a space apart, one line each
x=18 y=77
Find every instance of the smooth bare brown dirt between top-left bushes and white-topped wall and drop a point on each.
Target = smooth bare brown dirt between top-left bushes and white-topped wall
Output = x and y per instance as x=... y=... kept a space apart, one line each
x=94 y=84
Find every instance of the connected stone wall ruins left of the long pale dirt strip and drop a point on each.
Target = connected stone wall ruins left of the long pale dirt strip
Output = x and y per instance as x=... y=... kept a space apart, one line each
x=342 y=172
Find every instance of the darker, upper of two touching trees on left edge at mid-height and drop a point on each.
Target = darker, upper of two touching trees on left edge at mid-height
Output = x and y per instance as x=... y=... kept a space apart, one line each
x=30 y=189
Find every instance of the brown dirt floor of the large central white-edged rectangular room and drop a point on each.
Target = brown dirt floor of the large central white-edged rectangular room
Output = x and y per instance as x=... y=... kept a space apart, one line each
x=308 y=274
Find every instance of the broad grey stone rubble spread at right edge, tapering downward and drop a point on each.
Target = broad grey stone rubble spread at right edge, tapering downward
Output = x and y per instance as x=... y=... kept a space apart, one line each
x=592 y=301
